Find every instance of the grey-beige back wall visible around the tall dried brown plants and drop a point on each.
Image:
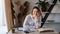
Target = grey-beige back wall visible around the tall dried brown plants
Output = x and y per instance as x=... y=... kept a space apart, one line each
x=32 y=3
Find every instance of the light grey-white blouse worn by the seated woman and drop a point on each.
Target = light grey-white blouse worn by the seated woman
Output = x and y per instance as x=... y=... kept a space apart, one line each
x=29 y=23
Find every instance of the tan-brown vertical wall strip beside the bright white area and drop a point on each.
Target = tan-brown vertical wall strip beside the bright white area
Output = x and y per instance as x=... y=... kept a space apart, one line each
x=8 y=14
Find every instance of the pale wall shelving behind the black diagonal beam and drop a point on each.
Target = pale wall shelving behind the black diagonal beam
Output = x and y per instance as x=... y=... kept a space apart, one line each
x=54 y=18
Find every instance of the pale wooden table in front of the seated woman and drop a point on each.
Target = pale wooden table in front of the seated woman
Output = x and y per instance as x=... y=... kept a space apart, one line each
x=35 y=32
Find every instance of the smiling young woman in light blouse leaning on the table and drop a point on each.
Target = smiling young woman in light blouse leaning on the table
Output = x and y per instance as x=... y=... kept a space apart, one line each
x=33 y=20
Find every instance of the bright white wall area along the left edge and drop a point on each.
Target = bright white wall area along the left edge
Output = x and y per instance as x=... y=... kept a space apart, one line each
x=3 y=24
